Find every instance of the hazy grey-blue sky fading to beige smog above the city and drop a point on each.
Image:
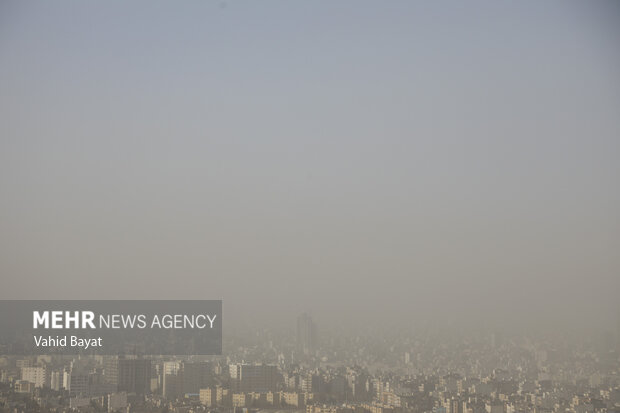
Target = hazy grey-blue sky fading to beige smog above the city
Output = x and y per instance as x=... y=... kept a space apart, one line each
x=401 y=160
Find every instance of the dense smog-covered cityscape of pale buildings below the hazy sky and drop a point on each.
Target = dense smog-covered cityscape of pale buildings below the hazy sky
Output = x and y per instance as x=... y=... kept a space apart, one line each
x=303 y=370
